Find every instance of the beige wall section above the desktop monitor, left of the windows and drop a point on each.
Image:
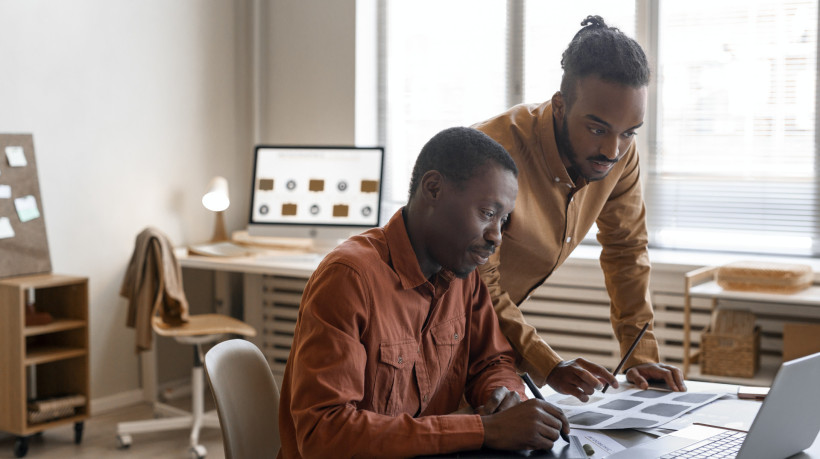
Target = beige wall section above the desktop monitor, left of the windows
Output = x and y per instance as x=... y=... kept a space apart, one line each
x=307 y=72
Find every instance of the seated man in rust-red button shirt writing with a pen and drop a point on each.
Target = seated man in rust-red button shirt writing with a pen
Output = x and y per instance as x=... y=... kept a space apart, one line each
x=395 y=325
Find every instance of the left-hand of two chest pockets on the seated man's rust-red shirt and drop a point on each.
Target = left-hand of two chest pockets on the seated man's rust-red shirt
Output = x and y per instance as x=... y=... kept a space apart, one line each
x=396 y=389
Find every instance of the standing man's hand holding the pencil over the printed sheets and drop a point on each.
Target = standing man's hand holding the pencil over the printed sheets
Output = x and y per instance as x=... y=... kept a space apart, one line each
x=579 y=378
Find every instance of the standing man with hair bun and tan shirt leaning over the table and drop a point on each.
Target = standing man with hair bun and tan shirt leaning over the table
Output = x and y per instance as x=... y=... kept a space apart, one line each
x=579 y=166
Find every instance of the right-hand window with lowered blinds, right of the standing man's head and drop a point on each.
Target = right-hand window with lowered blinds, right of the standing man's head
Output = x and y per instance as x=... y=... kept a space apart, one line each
x=734 y=164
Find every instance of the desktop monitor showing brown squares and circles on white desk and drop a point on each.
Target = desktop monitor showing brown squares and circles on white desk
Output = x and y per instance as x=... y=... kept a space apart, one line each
x=323 y=193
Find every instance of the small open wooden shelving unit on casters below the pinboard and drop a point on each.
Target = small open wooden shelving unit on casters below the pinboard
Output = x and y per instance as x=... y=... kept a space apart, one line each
x=50 y=360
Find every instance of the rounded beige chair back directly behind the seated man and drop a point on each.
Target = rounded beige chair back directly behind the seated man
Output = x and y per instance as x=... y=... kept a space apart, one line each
x=247 y=399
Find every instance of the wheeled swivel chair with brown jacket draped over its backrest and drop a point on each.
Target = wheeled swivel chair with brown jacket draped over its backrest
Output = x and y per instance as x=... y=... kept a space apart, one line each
x=154 y=284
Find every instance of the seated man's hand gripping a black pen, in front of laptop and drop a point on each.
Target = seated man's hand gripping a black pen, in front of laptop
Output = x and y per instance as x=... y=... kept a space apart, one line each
x=533 y=424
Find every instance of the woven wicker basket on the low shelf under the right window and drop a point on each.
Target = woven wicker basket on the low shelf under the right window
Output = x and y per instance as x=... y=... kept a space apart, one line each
x=731 y=345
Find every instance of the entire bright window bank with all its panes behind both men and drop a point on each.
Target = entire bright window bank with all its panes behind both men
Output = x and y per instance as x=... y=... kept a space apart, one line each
x=728 y=149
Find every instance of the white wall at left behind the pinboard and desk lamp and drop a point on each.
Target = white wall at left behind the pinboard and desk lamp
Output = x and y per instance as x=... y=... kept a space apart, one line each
x=134 y=106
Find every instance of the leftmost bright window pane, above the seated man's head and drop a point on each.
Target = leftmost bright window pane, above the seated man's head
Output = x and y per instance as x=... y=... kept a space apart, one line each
x=445 y=66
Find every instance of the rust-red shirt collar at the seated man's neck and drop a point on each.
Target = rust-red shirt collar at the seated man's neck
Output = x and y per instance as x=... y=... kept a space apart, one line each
x=402 y=256
